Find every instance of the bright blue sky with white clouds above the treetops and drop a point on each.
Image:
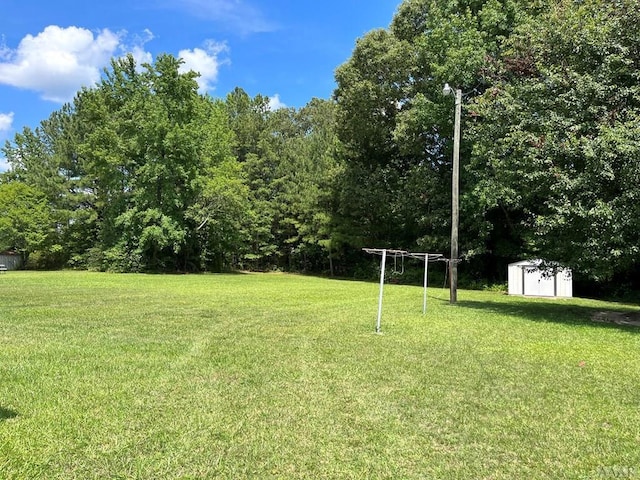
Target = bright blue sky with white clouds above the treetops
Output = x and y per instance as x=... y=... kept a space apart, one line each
x=284 y=49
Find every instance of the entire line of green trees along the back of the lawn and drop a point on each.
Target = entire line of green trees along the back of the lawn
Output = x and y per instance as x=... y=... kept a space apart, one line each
x=142 y=173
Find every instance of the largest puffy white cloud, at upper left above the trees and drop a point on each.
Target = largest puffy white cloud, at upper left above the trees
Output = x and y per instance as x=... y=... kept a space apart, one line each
x=58 y=61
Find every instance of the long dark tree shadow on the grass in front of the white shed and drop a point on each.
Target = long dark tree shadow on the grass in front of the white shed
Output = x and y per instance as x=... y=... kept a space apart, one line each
x=559 y=312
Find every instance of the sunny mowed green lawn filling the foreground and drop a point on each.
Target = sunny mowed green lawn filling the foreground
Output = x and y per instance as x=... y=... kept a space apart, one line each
x=282 y=376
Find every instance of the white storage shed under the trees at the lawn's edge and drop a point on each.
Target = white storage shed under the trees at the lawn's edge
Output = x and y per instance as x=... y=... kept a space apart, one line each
x=528 y=278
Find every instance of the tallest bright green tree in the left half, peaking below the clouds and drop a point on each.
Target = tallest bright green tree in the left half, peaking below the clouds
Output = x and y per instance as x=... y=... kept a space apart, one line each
x=143 y=143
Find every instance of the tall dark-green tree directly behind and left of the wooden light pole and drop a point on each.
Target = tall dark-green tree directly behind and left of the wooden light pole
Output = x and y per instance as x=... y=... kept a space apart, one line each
x=396 y=124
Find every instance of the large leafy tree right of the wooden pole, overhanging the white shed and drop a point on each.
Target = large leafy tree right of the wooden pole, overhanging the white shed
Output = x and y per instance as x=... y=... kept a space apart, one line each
x=556 y=144
